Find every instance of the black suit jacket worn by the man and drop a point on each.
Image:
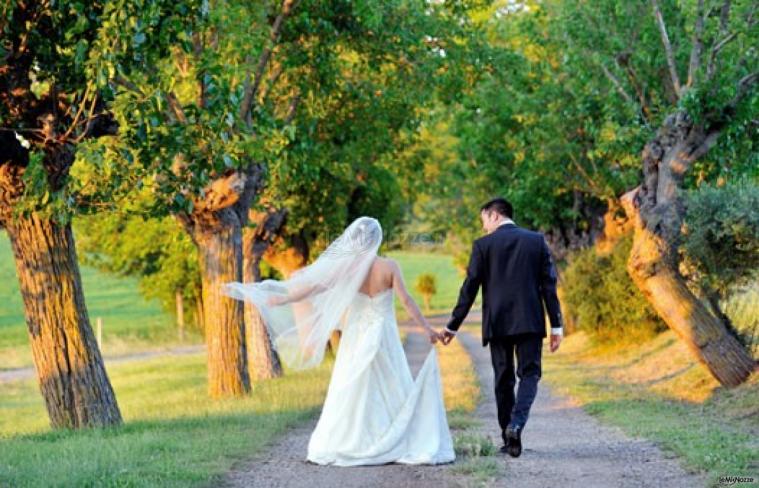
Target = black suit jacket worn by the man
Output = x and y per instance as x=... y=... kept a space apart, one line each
x=518 y=276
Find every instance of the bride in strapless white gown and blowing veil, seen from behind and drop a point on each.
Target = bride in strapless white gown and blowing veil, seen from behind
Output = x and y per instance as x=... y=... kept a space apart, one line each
x=375 y=412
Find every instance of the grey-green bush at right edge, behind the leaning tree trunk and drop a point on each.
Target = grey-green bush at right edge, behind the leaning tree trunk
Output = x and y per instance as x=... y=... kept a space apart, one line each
x=721 y=241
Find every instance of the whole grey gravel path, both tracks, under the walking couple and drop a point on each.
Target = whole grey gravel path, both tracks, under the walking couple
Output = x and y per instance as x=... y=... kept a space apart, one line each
x=563 y=446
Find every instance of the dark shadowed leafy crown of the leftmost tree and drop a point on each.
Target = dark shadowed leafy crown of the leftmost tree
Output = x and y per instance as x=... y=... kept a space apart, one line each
x=53 y=101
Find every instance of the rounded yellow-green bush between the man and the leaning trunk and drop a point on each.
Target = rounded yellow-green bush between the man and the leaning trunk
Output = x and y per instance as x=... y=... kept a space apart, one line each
x=602 y=298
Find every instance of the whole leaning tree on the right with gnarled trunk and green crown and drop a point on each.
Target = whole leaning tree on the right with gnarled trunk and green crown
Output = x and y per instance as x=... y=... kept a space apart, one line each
x=596 y=85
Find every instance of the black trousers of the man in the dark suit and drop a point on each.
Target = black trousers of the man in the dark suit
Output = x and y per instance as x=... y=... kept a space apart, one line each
x=528 y=349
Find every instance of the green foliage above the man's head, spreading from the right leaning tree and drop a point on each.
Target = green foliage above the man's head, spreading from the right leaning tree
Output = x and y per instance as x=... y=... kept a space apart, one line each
x=559 y=125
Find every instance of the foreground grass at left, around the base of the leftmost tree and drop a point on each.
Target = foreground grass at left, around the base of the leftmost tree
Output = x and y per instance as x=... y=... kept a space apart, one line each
x=173 y=434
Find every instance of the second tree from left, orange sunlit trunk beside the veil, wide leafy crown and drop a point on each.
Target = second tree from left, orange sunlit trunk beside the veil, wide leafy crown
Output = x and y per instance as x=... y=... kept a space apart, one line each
x=250 y=94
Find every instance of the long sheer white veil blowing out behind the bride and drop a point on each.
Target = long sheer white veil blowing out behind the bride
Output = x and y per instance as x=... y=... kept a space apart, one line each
x=315 y=297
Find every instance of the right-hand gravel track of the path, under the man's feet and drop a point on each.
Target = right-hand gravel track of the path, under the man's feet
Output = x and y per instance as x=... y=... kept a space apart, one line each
x=564 y=446
